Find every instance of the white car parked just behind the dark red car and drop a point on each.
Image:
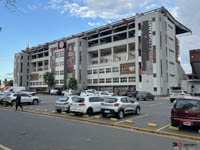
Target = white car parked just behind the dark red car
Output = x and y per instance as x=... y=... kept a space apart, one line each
x=178 y=94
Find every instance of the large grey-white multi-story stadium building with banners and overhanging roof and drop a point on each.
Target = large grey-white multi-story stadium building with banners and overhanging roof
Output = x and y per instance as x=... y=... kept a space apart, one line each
x=136 y=53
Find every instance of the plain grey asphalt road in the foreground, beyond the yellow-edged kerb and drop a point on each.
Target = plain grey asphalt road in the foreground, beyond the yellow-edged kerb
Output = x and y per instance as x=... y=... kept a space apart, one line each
x=22 y=131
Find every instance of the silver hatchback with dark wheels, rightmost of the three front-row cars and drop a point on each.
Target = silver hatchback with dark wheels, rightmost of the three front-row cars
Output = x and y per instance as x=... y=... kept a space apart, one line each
x=119 y=106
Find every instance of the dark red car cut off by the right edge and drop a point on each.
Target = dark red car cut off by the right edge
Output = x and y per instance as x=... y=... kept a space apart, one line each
x=186 y=112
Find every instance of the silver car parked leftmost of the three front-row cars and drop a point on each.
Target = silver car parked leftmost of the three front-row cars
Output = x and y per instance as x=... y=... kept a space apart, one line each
x=63 y=103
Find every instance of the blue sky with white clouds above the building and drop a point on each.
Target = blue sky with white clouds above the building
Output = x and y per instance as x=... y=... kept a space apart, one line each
x=36 y=22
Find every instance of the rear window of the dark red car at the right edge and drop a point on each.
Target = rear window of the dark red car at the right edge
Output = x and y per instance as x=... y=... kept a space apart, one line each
x=187 y=104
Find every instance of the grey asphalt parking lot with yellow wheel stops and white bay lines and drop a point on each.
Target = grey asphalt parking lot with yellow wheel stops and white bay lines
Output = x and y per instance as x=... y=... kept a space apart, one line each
x=154 y=116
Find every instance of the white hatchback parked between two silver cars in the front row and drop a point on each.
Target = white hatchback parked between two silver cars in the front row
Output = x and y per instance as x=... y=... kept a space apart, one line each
x=86 y=105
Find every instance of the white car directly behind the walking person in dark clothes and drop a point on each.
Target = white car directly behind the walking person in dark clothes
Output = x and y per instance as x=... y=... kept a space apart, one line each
x=25 y=98
